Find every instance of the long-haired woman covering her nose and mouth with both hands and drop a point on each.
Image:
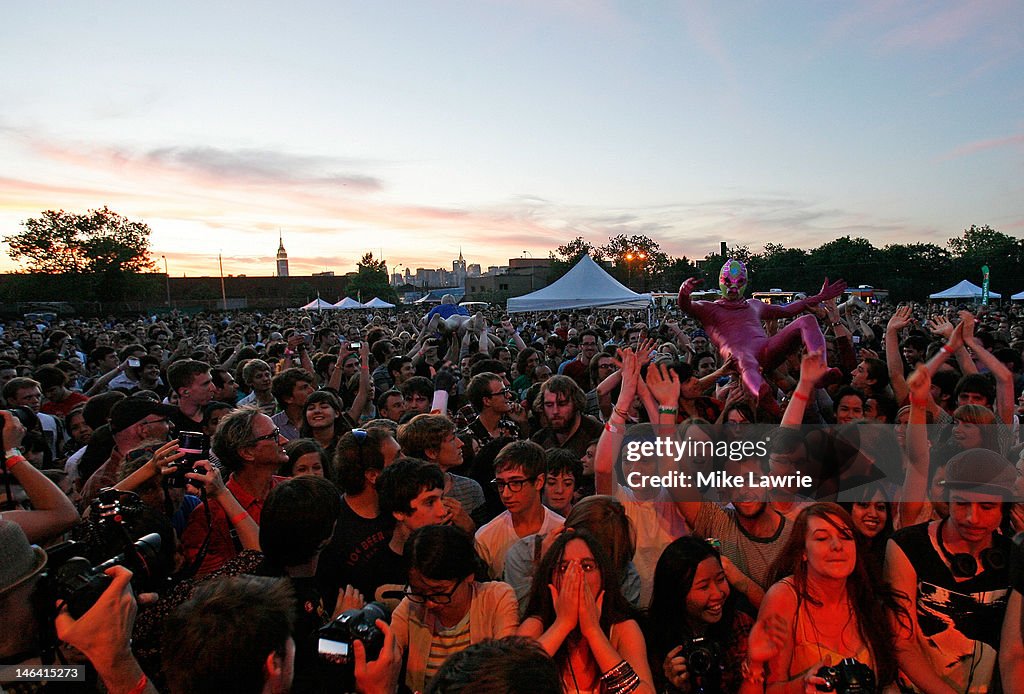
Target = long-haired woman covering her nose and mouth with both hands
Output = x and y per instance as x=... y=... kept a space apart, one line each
x=580 y=618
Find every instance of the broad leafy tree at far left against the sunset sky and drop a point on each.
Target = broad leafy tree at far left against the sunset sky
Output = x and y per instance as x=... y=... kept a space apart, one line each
x=100 y=242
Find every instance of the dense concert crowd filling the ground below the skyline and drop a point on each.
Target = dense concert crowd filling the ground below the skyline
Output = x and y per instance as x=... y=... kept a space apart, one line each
x=411 y=501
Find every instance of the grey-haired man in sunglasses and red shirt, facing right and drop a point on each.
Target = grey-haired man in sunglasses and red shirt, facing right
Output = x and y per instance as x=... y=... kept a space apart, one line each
x=251 y=448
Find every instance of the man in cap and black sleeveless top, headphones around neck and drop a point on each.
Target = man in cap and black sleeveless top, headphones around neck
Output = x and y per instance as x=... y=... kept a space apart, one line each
x=956 y=573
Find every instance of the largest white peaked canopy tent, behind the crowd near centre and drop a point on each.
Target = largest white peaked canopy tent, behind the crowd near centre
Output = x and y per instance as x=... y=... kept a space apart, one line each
x=586 y=286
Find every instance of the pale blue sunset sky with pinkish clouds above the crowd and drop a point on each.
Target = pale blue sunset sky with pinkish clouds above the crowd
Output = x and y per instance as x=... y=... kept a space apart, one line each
x=419 y=128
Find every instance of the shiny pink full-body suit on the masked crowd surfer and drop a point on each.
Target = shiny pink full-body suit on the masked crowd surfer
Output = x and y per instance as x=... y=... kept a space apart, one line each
x=734 y=324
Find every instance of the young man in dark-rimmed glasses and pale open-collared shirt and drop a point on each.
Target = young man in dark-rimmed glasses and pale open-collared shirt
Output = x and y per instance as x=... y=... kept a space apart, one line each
x=520 y=479
